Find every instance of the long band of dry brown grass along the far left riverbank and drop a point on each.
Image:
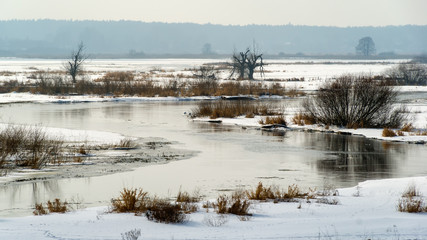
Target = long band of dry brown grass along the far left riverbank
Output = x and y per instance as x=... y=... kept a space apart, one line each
x=142 y=84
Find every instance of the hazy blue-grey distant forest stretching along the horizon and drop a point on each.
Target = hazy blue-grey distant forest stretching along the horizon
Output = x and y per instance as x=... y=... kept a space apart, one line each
x=57 y=38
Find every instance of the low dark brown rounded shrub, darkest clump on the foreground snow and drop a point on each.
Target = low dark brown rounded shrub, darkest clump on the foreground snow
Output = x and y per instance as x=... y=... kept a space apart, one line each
x=161 y=210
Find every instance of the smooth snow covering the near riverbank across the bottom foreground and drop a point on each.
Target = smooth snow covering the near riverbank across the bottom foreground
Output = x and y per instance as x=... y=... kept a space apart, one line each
x=366 y=211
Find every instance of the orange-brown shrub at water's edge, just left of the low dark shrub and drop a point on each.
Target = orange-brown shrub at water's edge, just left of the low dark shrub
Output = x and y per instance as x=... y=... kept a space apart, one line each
x=130 y=200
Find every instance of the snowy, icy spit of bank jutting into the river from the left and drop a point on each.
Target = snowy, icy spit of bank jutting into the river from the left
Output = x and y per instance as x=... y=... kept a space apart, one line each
x=95 y=153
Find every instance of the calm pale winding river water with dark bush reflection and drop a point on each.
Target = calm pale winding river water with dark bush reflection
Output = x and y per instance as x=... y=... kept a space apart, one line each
x=228 y=157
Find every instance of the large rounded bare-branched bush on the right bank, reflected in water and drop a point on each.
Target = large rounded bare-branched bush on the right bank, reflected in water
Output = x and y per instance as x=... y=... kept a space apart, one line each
x=353 y=101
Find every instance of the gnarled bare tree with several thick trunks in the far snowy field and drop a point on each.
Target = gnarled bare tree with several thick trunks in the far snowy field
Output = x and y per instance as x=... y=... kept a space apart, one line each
x=245 y=63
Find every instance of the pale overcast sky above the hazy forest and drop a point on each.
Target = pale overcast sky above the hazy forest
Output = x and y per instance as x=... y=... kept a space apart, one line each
x=236 y=12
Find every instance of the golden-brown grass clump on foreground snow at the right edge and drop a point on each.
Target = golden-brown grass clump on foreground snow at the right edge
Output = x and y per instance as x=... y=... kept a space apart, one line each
x=411 y=201
